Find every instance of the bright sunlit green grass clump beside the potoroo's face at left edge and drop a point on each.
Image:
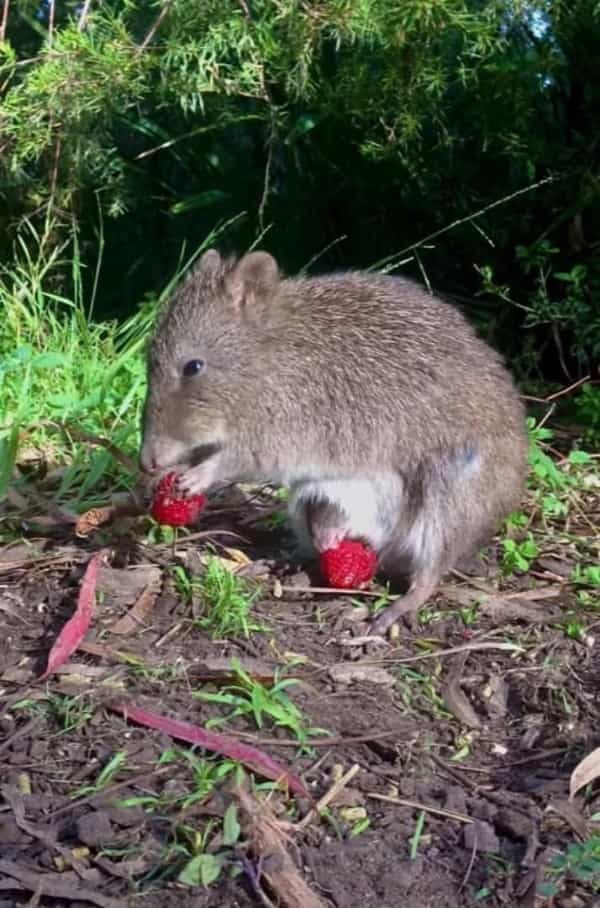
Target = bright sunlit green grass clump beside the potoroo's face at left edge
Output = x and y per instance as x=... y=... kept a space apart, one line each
x=60 y=369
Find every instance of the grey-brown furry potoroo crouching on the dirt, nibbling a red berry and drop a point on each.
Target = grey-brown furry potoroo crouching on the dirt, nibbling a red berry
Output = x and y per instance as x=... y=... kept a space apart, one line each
x=374 y=401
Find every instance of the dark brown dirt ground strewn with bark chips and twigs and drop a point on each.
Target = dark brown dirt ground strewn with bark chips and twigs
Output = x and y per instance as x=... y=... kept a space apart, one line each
x=469 y=728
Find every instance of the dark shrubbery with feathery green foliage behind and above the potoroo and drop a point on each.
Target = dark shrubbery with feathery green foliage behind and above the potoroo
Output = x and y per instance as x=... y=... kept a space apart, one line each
x=347 y=130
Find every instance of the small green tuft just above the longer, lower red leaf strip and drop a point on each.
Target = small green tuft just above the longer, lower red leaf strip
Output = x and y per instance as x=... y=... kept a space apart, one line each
x=251 y=698
